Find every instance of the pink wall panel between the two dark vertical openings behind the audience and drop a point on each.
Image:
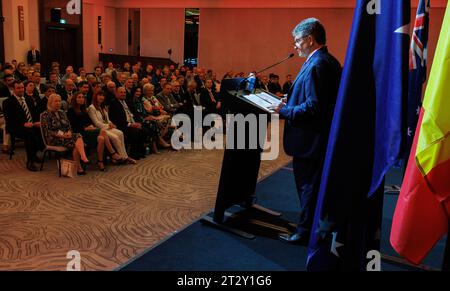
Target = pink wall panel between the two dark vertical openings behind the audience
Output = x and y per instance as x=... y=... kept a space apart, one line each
x=162 y=29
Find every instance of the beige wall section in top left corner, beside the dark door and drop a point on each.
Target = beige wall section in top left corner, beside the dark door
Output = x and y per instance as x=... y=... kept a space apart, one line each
x=15 y=48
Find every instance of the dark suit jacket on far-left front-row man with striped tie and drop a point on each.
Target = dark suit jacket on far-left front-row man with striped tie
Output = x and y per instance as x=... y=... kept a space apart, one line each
x=15 y=116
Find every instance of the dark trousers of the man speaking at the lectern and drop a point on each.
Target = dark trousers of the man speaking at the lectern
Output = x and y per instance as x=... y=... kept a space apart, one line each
x=307 y=174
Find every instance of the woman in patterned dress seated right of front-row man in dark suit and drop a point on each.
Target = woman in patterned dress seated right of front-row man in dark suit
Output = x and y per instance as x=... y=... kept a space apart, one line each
x=156 y=114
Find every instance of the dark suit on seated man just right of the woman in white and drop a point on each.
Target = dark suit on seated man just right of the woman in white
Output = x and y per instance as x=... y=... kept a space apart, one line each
x=136 y=137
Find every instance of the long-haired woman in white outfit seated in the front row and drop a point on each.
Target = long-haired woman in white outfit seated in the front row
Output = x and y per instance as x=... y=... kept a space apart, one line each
x=99 y=115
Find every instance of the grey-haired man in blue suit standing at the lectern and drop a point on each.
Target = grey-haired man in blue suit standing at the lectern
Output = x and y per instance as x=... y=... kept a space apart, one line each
x=308 y=115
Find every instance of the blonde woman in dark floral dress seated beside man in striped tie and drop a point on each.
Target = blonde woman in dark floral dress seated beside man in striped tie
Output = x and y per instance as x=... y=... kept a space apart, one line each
x=57 y=131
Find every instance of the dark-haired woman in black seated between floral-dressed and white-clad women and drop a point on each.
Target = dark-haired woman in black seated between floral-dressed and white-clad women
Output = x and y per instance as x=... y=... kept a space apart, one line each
x=94 y=137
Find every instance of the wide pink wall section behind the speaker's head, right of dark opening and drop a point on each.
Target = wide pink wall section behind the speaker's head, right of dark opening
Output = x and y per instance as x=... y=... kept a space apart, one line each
x=251 y=39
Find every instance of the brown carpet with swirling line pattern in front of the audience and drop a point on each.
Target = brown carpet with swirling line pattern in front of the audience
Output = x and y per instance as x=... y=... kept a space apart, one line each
x=108 y=217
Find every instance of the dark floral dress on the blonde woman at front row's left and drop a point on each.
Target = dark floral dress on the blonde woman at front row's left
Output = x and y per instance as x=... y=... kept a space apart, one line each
x=54 y=122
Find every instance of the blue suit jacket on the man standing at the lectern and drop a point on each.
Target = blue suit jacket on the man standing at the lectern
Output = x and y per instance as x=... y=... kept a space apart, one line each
x=310 y=107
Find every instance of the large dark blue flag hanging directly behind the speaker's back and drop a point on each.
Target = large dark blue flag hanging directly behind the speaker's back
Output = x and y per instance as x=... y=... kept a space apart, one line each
x=367 y=137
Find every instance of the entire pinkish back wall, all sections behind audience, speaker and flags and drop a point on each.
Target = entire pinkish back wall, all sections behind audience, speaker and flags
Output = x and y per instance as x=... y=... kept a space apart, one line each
x=229 y=38
